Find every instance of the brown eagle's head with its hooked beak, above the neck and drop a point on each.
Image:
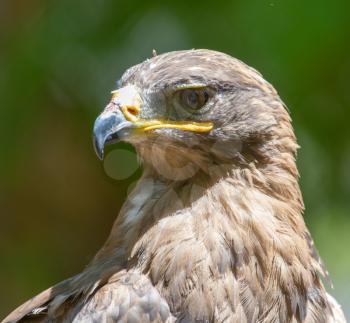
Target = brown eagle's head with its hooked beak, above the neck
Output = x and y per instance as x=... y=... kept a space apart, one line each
x=195 y=109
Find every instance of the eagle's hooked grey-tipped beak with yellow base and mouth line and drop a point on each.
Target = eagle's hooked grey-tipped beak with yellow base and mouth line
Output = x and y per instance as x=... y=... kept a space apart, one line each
x=121 y=117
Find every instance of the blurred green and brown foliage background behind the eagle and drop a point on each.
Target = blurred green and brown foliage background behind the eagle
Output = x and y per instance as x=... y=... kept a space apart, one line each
x=60 y=59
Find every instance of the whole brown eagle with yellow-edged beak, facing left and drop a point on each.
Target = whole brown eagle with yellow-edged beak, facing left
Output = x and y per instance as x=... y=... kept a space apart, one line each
x=213 y=230
